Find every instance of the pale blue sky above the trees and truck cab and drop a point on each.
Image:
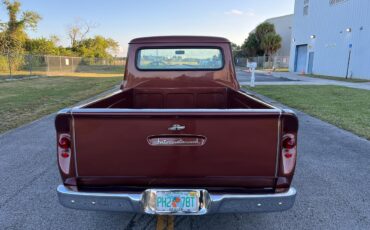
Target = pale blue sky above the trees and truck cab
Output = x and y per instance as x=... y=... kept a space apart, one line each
x=125 y=20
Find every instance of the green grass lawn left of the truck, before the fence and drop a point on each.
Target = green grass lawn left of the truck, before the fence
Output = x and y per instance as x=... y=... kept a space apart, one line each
x=26 y=100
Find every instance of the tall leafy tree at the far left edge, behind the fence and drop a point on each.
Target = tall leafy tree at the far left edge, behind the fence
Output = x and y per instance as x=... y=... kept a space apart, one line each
x=13 y=33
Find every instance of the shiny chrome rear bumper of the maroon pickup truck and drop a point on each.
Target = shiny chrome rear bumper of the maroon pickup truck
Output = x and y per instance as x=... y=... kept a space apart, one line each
x=214 y=203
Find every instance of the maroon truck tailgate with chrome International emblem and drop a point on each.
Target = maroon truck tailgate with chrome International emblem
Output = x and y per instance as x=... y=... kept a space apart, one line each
x=214 y=149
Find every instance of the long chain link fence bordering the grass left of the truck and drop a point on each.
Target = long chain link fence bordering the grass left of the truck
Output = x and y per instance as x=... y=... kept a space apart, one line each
x=17 y=66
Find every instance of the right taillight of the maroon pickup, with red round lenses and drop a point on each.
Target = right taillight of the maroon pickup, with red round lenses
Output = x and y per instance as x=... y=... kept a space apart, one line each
x=289 y=152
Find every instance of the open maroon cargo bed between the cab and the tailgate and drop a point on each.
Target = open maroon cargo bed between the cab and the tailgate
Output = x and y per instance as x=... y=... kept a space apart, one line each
x=179 y=98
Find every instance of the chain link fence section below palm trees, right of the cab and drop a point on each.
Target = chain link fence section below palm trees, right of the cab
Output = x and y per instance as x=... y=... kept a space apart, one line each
x=263 y=62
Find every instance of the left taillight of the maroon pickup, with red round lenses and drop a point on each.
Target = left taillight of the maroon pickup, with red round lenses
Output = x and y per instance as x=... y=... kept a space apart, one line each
x=64 y=152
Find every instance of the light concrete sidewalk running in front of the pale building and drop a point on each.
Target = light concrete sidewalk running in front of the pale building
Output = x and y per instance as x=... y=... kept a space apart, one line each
x=305 y=80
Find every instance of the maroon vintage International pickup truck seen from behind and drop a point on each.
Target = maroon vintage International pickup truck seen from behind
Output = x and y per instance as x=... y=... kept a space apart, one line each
x=179 y=138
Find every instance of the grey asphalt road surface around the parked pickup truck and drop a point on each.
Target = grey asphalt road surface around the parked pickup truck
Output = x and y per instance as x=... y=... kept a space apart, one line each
x=332 y=180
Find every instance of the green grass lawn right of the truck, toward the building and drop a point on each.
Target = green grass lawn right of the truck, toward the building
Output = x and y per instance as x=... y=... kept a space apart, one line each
x=344 y=107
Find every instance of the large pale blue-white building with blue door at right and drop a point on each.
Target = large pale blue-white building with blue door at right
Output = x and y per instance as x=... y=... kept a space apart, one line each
x=331 y=37
